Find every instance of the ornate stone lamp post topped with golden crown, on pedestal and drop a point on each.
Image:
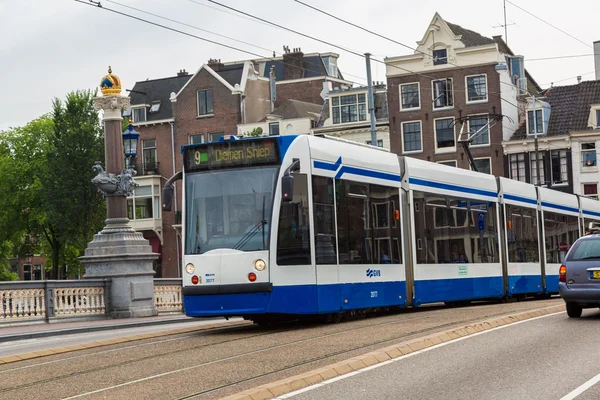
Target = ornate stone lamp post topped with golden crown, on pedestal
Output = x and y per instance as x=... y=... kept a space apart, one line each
x=118 y=252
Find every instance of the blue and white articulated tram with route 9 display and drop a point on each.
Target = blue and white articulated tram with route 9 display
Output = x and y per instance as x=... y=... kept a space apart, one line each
x=302 y=225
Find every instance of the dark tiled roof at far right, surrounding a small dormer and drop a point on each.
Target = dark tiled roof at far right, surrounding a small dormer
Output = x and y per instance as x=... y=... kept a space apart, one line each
x=570 y=108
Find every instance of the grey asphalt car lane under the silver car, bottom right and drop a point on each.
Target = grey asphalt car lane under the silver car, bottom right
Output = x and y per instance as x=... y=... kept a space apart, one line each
x=544 y=358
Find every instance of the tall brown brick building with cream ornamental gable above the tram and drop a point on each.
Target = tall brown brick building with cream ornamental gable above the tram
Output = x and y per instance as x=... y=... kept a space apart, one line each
x=454 y=73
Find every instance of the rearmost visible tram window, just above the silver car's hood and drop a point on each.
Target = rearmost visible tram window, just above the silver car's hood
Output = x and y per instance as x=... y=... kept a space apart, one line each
x=560 y=232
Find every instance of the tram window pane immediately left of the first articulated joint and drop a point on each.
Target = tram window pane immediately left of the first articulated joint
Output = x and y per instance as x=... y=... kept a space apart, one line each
x=386 y=229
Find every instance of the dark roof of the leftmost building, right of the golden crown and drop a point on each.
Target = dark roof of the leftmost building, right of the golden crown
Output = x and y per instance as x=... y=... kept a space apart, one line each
x=145 y=92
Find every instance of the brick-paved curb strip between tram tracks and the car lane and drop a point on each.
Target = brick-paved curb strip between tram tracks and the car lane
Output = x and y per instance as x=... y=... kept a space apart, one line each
x=291 y=384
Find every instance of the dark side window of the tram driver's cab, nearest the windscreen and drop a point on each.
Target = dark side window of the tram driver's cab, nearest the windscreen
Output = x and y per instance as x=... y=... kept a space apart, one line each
x=293 y=235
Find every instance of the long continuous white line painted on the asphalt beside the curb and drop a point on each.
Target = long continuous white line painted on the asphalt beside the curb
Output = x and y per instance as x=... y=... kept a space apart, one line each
x=339 y=378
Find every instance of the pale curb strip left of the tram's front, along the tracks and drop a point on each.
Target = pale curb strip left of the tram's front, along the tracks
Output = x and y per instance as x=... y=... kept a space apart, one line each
x=108 y=342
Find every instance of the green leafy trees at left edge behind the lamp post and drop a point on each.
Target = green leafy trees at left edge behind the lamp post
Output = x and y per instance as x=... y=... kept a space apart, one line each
x=48 y=204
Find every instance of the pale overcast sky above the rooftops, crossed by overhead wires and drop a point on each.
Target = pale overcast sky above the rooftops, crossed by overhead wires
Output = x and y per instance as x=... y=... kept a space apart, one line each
x=51 y=47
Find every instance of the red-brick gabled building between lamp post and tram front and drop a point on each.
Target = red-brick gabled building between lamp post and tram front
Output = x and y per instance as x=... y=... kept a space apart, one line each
x=172 y=112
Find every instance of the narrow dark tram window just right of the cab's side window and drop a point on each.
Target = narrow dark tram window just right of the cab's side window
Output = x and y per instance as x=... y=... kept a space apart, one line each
x=324 y=219
